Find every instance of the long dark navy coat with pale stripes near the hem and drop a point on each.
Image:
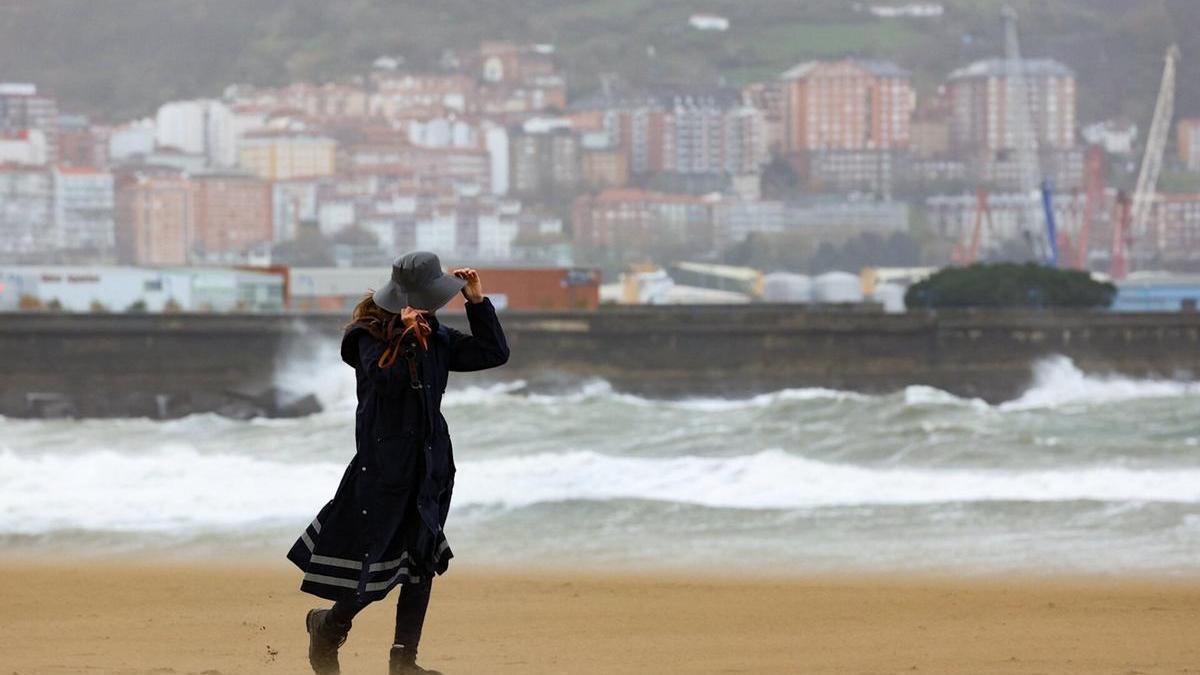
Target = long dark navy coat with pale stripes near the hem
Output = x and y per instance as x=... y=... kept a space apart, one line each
x=385 y=524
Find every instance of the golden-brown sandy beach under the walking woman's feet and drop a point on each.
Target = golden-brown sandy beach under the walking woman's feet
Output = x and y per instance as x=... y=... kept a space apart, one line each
x=169 y=618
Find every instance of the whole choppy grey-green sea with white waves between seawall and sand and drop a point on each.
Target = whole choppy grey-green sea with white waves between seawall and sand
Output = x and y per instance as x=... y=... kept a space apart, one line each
x=1082 y=474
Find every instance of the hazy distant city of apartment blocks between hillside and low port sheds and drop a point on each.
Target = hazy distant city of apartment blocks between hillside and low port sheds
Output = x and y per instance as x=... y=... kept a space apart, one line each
x=488 y=160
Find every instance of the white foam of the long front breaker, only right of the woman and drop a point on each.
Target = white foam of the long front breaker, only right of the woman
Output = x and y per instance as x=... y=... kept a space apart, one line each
x=777 y=480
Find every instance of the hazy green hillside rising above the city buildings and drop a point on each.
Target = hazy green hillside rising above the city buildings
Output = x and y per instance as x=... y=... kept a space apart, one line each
x=122 y=58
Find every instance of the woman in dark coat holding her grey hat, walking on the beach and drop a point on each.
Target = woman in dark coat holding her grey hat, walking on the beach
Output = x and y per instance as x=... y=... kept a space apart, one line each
x=385 y=524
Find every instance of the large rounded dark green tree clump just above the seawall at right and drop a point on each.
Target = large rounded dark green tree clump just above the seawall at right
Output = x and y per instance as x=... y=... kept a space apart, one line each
x=1010 y=285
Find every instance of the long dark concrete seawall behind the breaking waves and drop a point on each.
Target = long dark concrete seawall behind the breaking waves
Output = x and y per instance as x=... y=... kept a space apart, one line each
x=165 y=366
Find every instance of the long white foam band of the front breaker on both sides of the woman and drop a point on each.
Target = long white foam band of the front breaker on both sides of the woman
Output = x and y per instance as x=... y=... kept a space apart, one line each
x=179 y=489
